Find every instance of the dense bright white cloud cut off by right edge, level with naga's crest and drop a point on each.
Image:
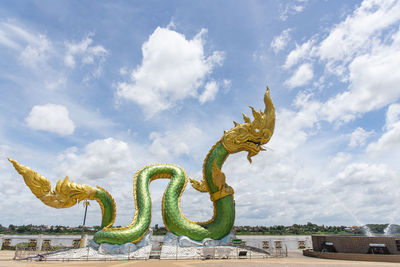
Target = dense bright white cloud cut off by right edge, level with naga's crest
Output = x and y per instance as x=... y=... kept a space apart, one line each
x=374 y=81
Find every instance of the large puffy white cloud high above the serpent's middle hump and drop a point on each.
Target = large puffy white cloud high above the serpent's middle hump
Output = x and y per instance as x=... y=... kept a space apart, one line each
x=172 y=69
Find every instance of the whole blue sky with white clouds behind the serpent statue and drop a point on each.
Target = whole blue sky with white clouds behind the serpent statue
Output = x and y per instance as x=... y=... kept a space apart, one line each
x=97 y=89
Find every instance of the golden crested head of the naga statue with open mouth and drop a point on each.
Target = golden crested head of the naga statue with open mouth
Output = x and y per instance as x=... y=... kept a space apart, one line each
x=251 y=135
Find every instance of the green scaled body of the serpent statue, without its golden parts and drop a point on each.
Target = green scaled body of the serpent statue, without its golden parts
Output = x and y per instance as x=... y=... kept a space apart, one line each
x=174 y=221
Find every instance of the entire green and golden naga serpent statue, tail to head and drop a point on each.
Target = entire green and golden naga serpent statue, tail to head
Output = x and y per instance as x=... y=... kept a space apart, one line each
x=248 y=136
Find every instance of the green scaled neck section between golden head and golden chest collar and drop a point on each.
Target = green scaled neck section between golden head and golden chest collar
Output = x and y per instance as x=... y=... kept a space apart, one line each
x=218 y=153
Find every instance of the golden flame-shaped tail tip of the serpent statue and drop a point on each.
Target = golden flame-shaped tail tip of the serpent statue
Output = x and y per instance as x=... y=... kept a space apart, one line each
x=65 y=194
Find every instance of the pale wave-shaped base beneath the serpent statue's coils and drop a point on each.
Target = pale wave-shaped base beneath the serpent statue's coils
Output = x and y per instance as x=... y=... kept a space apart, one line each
x=174 y=247
